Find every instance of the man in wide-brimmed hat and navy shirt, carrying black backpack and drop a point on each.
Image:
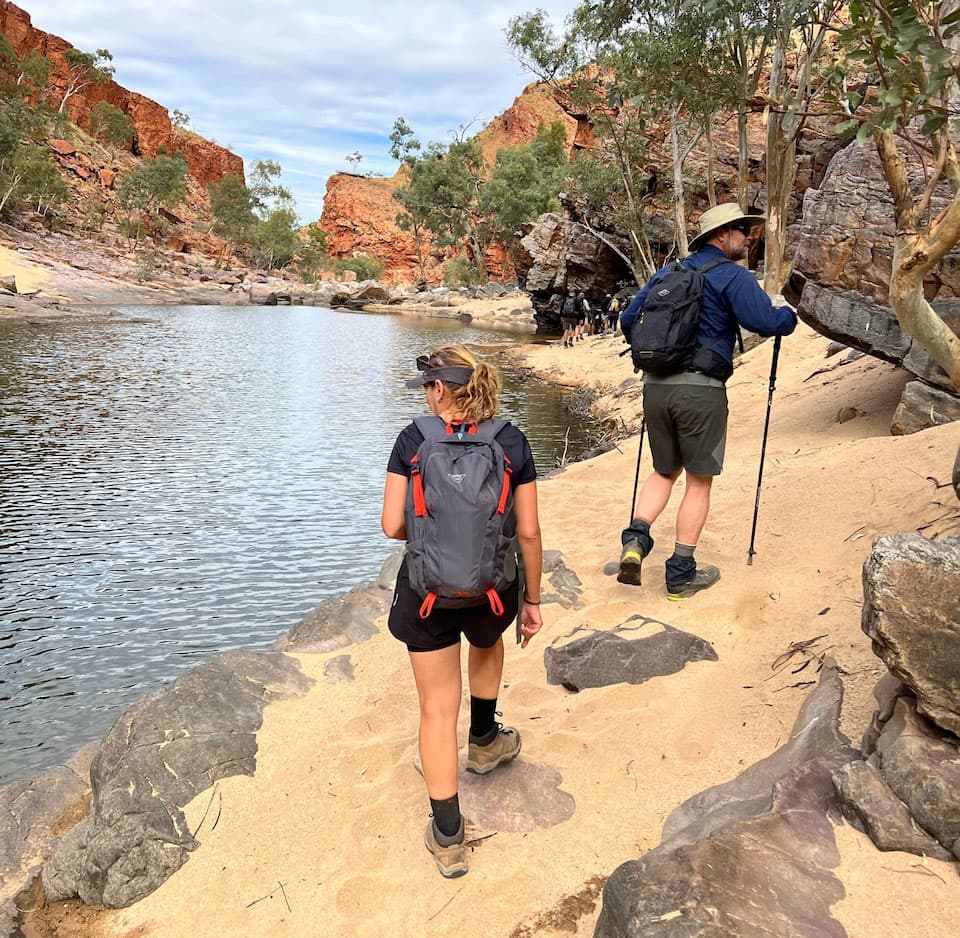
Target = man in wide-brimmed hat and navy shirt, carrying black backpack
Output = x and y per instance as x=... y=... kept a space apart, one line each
x=686 y=412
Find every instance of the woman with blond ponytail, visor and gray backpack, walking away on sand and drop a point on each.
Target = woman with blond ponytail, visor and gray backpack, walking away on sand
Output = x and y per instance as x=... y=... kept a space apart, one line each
x=432 y=510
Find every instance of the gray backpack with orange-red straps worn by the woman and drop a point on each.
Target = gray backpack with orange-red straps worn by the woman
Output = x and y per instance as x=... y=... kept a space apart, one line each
x=461 y=526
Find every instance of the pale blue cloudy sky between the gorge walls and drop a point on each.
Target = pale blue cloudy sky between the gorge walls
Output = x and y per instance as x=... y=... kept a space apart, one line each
x=306 y=83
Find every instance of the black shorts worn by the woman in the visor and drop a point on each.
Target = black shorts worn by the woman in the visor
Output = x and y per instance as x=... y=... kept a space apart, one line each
x=443 y=627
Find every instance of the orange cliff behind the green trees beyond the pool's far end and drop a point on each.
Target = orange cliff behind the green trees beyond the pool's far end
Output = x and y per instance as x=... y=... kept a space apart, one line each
x=359 y=212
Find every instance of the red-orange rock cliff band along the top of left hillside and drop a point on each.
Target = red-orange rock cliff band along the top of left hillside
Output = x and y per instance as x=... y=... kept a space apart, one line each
x=207 y=162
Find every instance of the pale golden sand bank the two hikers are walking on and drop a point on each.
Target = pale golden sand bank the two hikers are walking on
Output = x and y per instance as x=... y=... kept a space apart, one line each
x=336 y=810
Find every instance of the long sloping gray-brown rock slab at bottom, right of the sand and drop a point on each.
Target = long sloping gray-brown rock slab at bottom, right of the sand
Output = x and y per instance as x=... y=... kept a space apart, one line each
x=749 y=857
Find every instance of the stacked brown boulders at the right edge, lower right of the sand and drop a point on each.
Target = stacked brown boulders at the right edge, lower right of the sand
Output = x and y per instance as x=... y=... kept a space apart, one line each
x=906 y=793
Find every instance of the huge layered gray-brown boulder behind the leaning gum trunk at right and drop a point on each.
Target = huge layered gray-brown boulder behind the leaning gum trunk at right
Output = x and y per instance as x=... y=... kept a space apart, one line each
x=840 y=276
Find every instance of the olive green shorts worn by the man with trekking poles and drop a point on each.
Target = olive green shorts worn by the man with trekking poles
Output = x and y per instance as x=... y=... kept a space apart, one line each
x=686 y=424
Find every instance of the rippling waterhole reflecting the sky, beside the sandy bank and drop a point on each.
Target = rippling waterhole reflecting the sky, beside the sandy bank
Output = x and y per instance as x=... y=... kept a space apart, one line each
x=177 y=482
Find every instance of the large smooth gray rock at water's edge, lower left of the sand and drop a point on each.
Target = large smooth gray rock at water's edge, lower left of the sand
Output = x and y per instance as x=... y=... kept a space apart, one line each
x=162 y=752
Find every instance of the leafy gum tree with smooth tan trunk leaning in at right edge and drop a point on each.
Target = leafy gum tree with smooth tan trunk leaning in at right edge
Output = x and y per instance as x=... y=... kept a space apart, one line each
x=911 y=50
